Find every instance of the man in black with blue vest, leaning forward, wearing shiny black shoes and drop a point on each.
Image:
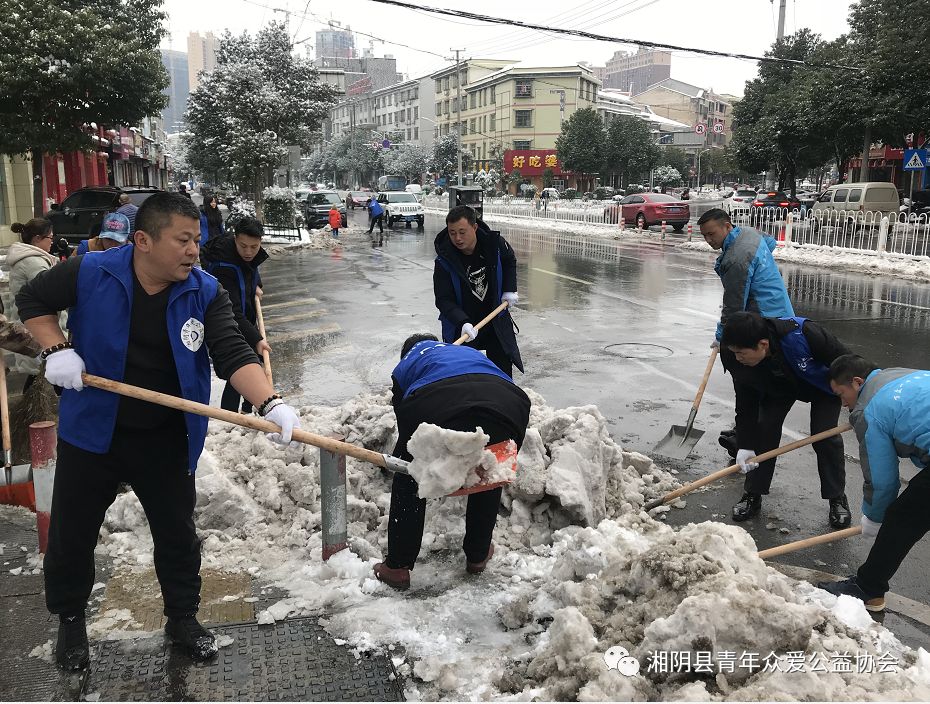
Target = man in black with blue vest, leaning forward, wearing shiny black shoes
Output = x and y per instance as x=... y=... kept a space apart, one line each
x=776 y=362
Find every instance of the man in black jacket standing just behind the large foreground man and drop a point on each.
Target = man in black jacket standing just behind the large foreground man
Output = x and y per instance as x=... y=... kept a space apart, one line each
x=234 y=261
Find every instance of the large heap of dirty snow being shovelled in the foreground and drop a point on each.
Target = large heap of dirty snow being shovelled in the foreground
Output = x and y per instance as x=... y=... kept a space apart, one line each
x=579 y=570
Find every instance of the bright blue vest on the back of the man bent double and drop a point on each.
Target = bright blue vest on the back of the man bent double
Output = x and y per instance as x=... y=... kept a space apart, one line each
x=430 y=361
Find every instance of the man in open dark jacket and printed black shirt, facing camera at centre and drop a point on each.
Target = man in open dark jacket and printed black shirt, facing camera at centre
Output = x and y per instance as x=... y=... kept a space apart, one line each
x=475 y=271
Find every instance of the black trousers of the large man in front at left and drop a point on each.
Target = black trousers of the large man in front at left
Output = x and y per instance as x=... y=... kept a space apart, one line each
x=155 y=464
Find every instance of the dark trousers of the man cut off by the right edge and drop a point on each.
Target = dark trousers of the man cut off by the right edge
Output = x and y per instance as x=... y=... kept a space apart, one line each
x=907 y=520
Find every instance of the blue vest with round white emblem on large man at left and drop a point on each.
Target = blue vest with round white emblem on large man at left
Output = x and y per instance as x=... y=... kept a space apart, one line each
x=87 y=418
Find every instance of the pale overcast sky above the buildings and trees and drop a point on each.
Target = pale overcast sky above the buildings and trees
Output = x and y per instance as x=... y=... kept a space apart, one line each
x=739 y=26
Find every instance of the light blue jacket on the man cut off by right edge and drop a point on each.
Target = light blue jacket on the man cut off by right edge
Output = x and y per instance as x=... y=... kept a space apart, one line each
x=891 y=420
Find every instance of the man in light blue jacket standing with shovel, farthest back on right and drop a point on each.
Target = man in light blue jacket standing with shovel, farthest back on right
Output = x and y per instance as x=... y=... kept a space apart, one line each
x=751 y=281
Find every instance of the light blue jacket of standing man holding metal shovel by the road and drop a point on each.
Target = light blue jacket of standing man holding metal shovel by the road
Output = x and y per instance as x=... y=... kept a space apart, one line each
x=750 y=277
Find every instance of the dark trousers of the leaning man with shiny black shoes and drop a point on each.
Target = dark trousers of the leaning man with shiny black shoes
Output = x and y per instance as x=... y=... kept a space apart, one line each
x=831 y=464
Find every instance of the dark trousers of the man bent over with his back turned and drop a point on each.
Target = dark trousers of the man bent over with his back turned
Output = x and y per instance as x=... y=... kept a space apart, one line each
x=465 y=402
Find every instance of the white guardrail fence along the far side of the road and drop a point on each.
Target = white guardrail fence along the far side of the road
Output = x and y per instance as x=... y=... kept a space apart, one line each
x=868 y=232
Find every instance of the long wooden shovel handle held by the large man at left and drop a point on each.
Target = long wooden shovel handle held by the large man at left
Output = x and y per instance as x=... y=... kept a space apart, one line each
x=252 y=422
